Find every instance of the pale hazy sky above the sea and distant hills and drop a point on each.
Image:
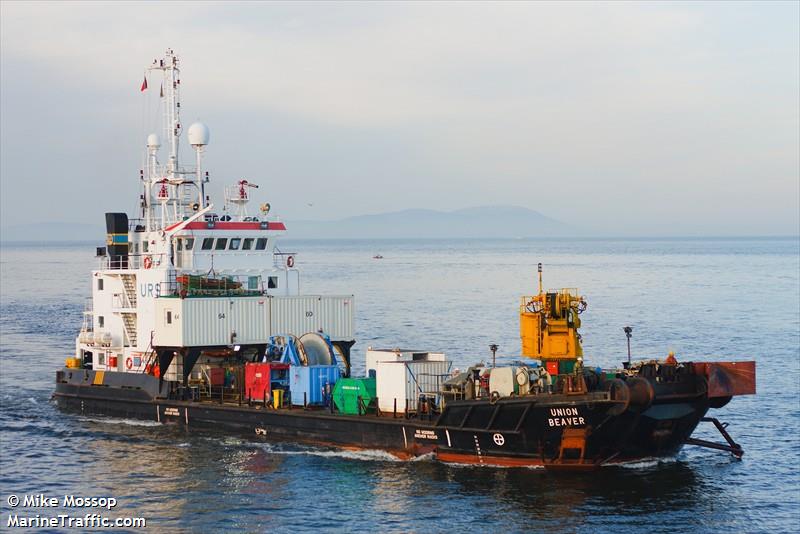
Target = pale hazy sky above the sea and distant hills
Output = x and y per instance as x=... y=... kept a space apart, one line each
x=646 y=119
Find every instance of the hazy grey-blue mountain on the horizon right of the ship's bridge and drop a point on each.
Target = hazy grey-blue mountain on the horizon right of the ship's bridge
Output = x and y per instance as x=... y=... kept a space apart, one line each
x=478 y=222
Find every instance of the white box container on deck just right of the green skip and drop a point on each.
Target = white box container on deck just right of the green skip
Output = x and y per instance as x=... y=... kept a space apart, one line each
x=406 y=381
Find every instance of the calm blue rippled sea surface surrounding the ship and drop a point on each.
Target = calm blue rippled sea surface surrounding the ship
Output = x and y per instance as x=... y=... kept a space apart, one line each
x=704 y=299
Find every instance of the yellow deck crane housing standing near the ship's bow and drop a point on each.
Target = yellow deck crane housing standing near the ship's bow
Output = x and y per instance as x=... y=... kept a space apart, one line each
x=548 y=324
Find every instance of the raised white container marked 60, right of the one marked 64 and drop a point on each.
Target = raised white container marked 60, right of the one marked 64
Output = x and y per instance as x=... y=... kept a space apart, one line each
x=333 y=315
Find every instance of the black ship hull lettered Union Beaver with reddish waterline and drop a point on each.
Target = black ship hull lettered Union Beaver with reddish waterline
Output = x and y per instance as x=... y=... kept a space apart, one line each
x=559 y=431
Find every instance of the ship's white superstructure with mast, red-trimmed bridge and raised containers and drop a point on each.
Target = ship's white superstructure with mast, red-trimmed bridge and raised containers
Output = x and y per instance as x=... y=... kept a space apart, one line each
x=184 y=275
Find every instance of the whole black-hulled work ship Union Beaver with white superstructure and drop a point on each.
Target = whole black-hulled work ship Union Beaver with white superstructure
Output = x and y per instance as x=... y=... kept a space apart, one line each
x=196 y=318
